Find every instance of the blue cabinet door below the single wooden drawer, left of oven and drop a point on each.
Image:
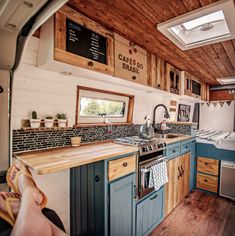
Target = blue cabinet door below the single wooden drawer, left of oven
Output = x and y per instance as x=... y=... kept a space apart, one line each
x=122 y=210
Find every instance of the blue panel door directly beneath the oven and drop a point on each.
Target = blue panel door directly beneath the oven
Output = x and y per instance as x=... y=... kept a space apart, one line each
x=149 y=213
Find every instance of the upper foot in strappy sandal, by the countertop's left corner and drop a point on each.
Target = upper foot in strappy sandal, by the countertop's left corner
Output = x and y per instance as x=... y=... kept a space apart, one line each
x=26 y=184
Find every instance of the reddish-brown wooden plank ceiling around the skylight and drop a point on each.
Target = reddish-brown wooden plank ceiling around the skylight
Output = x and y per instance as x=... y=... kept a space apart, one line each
x=136 y=20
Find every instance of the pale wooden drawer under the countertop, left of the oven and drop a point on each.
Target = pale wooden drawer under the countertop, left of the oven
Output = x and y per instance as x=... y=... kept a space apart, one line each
x=121 y=167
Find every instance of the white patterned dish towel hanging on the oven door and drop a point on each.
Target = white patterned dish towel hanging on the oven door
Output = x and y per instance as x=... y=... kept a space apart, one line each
x=158 y=175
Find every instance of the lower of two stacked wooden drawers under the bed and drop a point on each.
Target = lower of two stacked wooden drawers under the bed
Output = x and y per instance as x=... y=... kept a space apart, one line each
x=207 y=182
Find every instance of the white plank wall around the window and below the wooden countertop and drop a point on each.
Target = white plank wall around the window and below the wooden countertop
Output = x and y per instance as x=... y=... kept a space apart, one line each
x=50 y=93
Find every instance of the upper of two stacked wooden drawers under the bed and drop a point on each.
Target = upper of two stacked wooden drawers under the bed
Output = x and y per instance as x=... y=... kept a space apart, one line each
x=206 y=165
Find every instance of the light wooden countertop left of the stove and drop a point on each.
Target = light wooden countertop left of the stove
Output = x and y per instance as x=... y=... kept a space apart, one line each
x=58 y=159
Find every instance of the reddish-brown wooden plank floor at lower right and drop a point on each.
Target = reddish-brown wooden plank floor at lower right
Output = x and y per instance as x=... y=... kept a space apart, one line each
x=200 y=214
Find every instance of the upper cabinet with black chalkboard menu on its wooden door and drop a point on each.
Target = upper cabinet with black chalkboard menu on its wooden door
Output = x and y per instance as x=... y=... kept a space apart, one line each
x=78 y=41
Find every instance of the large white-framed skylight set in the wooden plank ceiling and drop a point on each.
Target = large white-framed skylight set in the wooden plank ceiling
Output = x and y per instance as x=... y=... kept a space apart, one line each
x=210 y=24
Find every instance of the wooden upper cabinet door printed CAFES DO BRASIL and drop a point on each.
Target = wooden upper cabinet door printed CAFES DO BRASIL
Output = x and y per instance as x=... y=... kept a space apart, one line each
x=130 y=61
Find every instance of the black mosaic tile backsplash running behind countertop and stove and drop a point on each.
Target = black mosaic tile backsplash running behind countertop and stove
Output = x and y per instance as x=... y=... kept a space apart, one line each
x=24 y=140
